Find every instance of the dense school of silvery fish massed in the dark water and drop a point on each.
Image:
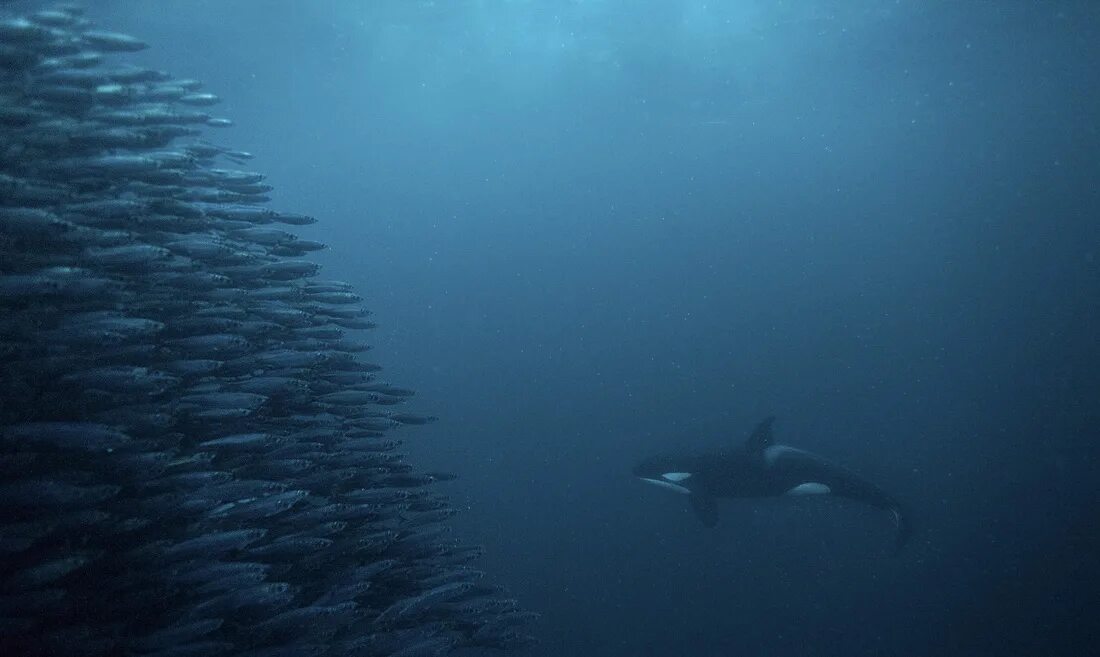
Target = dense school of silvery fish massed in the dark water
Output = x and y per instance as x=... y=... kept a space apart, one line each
x=194 y=458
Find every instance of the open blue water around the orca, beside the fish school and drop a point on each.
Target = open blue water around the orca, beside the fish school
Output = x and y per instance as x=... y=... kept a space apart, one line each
x=592 y=231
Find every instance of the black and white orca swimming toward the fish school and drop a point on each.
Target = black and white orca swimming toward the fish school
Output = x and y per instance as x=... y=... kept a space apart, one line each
x=760 y=468
